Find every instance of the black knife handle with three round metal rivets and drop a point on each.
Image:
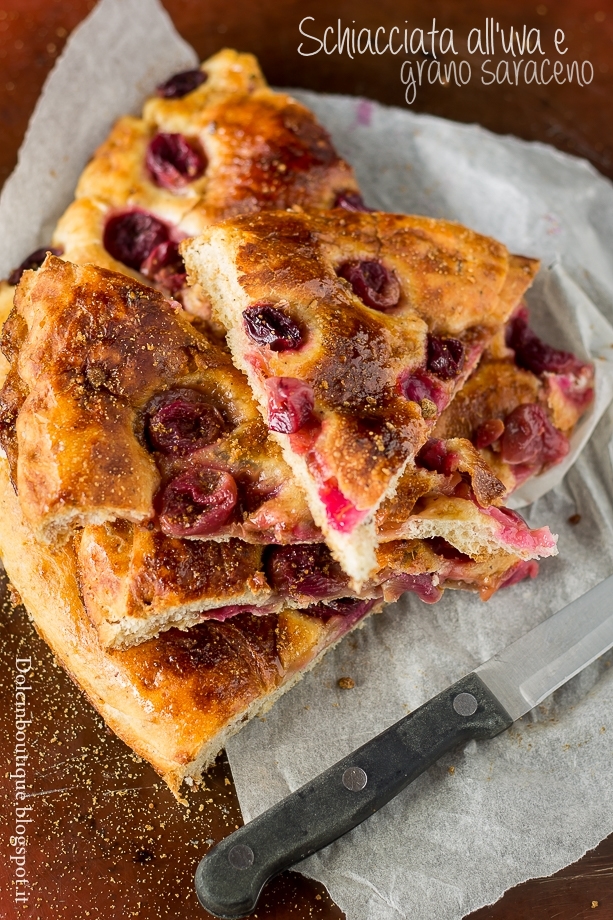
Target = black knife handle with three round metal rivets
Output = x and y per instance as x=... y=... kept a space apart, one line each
x=231 y=876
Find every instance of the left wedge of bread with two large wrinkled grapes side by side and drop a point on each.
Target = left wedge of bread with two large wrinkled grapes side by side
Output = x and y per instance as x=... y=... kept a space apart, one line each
x=117 y=407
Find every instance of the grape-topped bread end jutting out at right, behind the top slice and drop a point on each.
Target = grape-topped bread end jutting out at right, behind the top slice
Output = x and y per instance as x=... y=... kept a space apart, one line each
x=521 y=404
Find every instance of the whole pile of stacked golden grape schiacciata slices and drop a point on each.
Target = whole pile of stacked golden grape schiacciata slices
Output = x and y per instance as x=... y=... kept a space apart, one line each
x=191 y=527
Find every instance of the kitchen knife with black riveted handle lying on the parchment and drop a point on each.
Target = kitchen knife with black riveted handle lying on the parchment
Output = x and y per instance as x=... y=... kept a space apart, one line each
x=229 y=879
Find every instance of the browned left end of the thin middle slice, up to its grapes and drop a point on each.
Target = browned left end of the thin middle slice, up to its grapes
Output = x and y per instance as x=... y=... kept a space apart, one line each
x=137 y=583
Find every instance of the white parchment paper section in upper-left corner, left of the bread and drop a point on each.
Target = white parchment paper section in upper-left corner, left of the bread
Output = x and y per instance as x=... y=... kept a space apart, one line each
x=111 y=62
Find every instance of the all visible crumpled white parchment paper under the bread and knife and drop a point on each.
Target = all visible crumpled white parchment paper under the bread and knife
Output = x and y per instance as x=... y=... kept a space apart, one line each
x=536 y=798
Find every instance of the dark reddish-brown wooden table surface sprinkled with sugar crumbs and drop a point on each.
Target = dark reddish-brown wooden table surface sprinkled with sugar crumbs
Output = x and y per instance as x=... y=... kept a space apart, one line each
x=109 y=840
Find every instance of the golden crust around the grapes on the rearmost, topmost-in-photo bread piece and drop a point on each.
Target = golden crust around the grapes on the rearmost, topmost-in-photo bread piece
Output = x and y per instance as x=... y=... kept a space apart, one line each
x=261 y=150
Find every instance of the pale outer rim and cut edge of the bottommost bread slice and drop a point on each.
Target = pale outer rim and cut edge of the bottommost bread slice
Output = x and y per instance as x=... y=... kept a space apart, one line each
x=46 y=582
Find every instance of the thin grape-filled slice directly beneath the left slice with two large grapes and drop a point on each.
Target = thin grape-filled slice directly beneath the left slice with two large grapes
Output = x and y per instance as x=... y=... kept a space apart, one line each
x=136 y=583
